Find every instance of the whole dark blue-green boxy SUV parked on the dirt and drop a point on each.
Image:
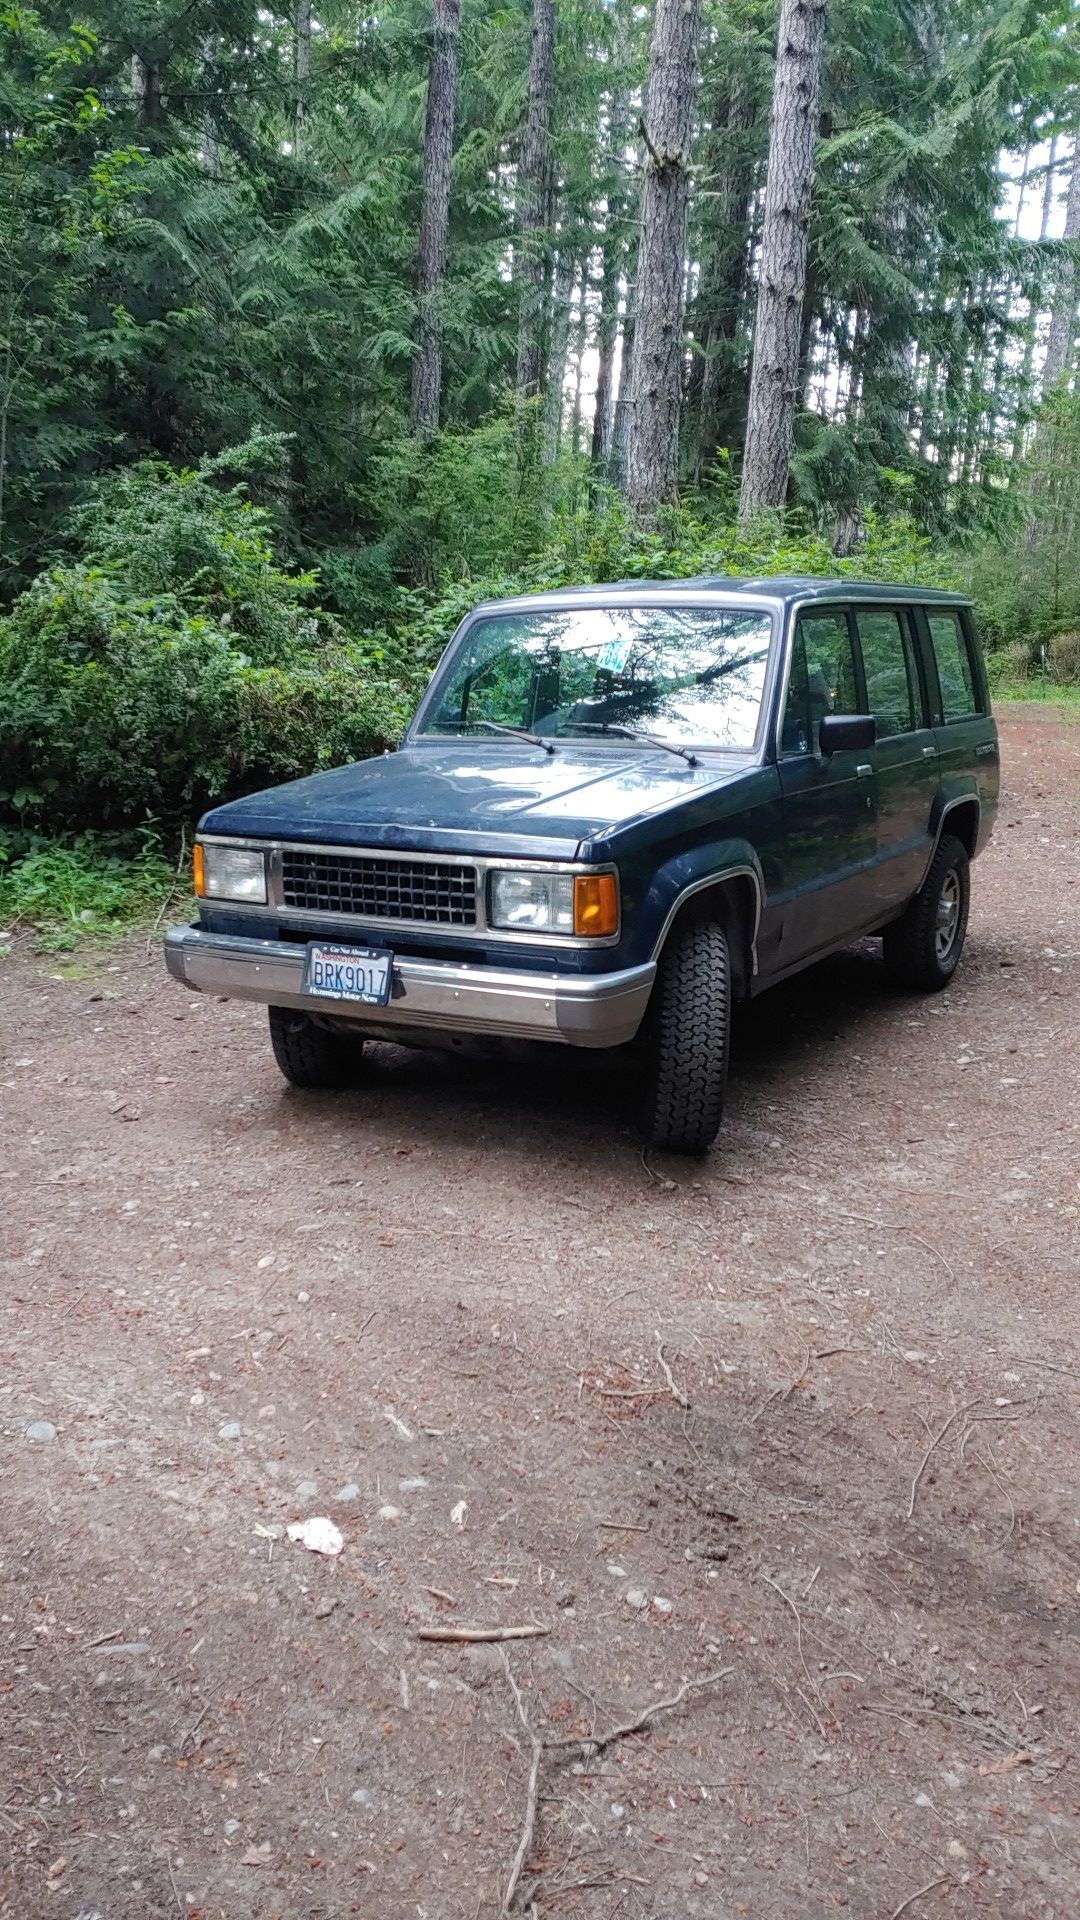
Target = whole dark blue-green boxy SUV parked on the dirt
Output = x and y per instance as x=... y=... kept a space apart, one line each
x=616 y=811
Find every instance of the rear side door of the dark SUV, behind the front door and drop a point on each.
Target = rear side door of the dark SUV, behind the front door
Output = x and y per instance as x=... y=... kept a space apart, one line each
x=906 y=756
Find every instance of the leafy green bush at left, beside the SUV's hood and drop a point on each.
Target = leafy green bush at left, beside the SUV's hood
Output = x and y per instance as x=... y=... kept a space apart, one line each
x=180 y=665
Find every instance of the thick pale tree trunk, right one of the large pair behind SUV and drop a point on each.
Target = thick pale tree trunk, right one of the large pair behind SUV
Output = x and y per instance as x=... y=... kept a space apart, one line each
x=781 y=276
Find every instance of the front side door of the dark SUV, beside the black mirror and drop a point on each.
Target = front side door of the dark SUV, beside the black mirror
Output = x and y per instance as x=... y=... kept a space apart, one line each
x=829 y=802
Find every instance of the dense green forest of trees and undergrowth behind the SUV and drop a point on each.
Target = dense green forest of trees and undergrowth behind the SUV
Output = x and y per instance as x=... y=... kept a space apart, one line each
x=320 y=325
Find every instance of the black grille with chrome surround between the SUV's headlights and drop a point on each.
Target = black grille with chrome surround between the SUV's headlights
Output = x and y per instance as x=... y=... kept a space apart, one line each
x=370 y=888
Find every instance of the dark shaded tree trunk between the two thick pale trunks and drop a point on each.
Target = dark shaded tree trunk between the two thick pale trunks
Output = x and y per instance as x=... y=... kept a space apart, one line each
x=725 y=281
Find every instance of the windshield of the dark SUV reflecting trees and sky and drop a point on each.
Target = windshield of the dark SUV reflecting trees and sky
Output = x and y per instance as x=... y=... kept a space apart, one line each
x=685 y=675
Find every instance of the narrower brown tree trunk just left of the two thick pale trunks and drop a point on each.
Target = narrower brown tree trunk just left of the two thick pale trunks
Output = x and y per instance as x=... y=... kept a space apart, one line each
x=533 y=197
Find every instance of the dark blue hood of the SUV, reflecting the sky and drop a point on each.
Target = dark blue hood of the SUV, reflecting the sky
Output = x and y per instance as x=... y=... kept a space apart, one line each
x=476 y=798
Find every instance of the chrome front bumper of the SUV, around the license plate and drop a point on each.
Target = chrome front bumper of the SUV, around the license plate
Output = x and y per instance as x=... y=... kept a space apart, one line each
x=581 y=1011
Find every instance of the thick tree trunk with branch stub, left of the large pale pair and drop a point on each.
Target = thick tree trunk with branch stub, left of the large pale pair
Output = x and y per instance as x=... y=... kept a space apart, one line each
x=652 y=452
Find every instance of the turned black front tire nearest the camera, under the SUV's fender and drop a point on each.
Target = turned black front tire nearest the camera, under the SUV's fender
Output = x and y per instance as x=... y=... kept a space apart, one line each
x=689 y=1042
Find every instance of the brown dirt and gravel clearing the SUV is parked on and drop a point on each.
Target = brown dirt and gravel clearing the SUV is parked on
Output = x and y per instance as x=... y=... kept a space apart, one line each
x=674 y=1414
